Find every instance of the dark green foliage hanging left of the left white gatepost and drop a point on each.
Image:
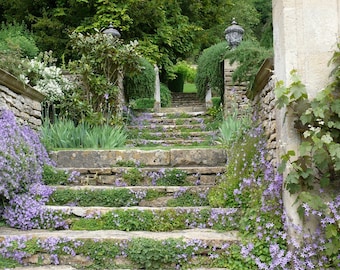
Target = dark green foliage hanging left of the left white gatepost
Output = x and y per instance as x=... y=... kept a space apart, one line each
x=141 y=84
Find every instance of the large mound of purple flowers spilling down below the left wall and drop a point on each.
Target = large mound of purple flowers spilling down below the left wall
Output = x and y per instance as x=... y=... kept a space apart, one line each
x=22 y=158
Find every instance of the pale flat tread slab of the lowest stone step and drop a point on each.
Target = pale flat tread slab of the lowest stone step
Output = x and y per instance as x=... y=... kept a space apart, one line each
x=208 y=236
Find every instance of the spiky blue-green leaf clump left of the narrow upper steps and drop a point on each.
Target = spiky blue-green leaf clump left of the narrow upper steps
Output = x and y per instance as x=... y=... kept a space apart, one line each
x=65 y=134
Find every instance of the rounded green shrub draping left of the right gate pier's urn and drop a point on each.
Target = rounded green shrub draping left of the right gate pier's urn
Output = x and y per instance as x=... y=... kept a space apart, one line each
x=210 y=70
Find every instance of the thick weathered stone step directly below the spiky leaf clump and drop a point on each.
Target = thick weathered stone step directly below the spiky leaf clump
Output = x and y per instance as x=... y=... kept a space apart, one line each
x=161 y=157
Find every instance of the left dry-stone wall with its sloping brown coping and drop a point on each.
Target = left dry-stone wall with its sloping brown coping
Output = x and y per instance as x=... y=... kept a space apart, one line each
x=21 y=99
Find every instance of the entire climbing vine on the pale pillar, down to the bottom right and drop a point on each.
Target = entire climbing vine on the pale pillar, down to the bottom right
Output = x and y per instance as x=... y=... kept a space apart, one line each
x=317 y=166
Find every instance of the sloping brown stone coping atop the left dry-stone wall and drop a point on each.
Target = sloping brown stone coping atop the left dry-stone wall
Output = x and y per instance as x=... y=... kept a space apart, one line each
x=19 y=87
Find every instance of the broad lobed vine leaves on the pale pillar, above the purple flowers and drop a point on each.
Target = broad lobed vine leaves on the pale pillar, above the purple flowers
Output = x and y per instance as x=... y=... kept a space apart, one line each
x=320 y=148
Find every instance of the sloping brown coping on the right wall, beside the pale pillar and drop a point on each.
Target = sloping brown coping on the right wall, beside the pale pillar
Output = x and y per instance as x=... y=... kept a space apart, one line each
x=262 y=77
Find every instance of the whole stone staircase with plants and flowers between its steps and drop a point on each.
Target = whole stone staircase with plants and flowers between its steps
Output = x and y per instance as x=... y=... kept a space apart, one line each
x=137 y=195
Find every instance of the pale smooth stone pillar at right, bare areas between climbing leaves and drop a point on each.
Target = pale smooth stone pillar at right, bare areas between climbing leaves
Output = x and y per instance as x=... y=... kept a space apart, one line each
x=305 y=36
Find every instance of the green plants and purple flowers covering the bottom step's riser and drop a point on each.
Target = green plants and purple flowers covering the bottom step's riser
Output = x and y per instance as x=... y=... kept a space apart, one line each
x=138 y=252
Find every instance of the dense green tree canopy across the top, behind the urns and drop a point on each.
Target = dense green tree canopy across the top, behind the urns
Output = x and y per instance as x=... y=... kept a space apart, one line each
x=167 y=31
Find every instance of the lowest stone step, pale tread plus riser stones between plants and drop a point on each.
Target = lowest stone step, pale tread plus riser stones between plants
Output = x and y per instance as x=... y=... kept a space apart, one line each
x=202 y=242
